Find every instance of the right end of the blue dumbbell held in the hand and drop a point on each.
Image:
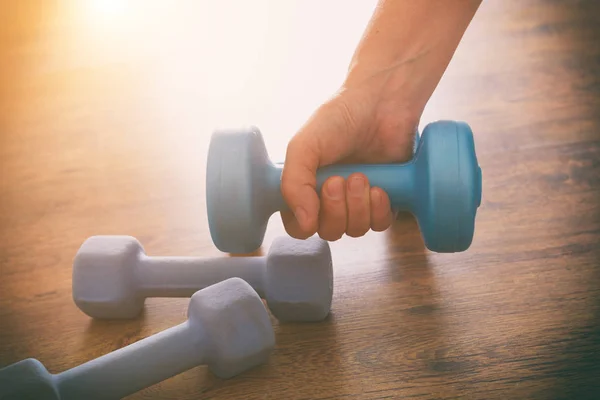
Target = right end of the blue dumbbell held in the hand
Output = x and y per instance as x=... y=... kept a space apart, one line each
x=450 y=182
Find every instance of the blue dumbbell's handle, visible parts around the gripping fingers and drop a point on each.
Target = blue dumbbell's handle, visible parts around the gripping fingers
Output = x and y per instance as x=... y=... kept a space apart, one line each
x=397 y=180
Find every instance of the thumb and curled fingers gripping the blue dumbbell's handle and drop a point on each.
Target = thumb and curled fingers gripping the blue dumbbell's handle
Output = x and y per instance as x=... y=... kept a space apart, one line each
x=332 y=134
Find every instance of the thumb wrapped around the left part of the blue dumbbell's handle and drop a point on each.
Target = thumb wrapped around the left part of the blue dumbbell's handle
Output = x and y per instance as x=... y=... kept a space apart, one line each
x=321 y=141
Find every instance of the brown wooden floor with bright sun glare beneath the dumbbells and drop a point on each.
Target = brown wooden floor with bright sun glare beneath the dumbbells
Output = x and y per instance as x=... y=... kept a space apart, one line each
x=105 y=115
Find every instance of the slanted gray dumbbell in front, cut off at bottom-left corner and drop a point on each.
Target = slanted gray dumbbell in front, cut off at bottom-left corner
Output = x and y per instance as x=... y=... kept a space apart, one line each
x=228 y=329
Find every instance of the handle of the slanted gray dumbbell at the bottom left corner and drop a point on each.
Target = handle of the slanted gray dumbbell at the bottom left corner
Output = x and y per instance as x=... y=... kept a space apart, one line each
x=137 y=366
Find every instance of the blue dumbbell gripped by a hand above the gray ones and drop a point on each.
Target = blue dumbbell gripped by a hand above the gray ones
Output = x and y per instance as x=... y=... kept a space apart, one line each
x=441 y=186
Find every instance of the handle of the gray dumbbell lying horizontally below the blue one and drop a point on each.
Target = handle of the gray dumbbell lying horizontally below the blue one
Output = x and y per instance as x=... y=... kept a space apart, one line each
x=183 y=276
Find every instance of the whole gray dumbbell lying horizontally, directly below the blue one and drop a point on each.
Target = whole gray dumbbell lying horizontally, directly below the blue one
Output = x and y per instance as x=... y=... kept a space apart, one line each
x=112 y=276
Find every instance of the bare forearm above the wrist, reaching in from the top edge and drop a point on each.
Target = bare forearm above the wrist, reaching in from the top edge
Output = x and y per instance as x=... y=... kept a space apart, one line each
x=408 y=45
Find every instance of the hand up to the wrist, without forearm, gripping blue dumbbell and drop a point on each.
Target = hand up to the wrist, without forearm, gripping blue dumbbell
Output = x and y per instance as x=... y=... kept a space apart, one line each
x=357 y=125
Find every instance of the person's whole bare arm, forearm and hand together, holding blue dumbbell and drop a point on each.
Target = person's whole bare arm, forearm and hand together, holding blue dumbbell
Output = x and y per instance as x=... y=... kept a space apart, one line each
x=372 y=119
